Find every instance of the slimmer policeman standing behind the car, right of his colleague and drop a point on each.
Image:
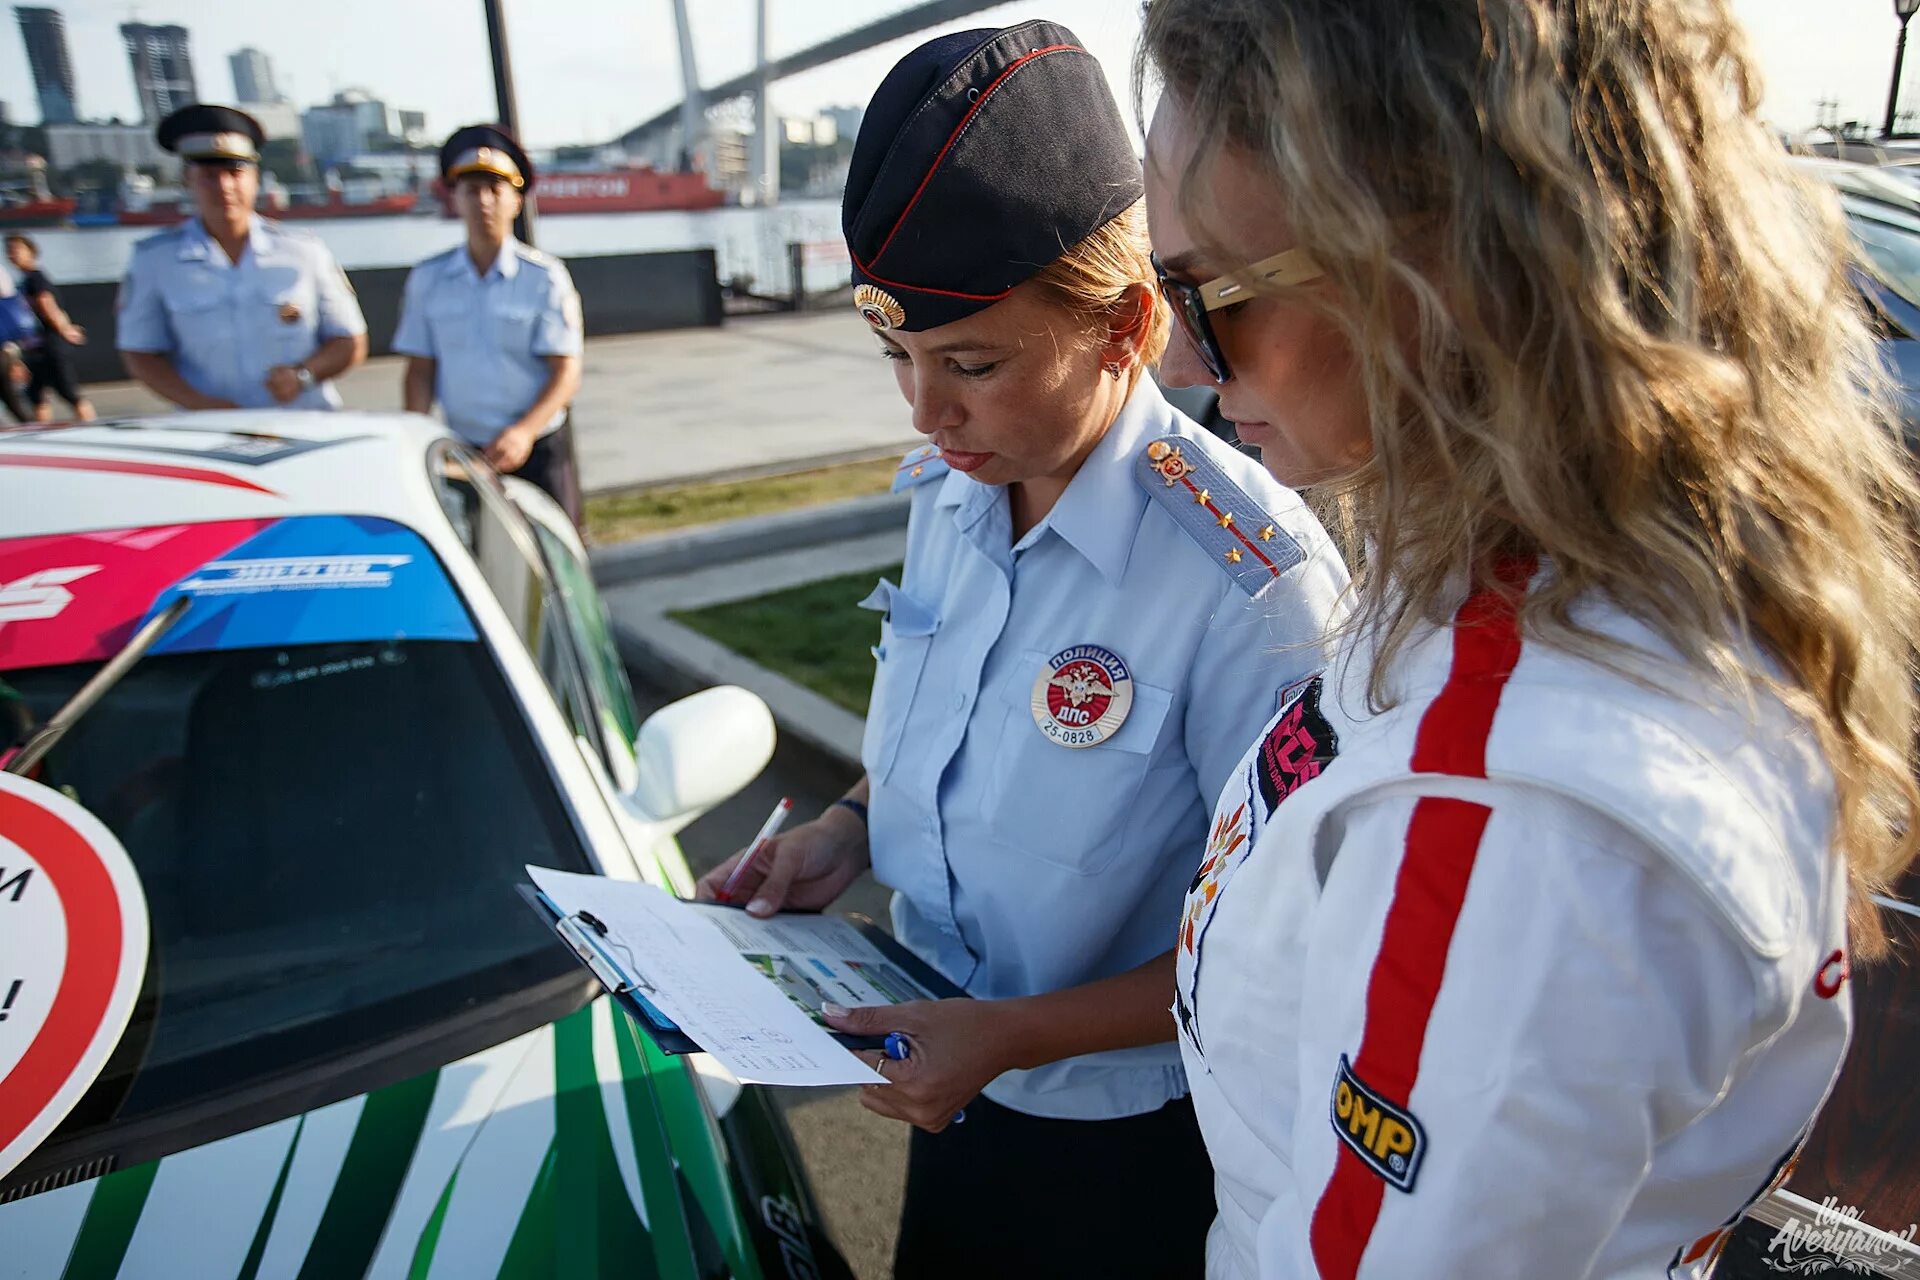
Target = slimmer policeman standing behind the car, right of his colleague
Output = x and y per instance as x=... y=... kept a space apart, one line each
x=492 y=329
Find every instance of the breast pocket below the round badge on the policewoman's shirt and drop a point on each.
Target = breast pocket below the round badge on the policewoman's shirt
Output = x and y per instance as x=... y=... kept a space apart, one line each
x=1068 y=805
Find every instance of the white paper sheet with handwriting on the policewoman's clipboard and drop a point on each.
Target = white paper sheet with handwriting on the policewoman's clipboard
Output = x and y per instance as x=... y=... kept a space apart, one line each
x=684 y=966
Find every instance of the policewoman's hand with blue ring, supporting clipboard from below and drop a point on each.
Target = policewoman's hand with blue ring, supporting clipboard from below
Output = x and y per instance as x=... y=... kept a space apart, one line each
x=957 y=1049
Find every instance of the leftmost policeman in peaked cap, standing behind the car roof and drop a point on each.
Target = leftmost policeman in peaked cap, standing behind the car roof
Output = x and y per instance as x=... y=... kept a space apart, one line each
x=231 y=310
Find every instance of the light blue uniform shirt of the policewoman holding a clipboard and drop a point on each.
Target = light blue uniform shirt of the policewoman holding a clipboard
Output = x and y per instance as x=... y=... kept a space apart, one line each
x=1024 y=866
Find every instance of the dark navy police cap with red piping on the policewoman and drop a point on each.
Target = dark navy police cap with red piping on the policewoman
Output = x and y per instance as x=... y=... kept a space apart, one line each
x=984 y=158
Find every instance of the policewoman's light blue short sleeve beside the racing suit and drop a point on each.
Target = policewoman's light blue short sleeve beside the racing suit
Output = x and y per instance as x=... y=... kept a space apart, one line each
x=1251 y=653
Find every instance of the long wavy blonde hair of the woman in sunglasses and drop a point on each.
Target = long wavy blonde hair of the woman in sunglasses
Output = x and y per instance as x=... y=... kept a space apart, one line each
x=1637 y=346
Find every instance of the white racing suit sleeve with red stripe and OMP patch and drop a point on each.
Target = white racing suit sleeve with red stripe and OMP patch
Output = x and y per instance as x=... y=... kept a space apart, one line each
x=1547 y=1001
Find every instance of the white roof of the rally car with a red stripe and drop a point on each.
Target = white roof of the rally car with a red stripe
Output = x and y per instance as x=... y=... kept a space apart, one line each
x=231 y=465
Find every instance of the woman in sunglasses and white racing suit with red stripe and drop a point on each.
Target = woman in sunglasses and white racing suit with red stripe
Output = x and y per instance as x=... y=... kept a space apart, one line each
x=1543 y=968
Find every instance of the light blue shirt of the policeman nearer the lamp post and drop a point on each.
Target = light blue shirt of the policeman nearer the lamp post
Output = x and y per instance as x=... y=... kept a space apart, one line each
x=491 y=337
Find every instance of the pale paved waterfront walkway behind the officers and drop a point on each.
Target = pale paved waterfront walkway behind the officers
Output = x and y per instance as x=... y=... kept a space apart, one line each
x=756 y=396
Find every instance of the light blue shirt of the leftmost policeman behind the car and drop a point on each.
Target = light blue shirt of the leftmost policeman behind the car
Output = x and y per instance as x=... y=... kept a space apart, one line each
x=228 y=323
